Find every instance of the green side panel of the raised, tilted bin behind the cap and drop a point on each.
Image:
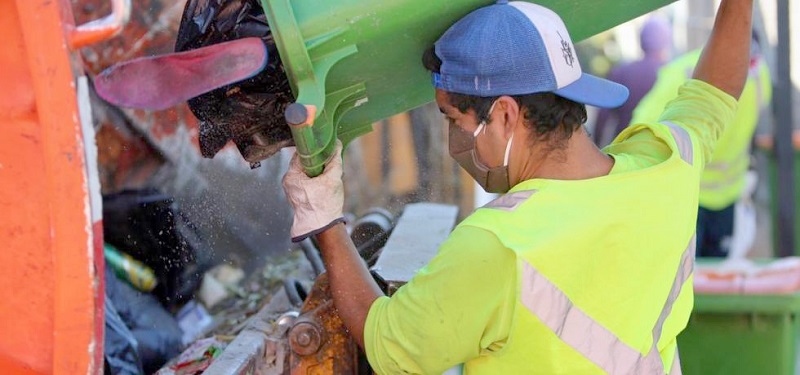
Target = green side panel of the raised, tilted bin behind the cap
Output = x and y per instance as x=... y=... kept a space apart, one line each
x=392 y=35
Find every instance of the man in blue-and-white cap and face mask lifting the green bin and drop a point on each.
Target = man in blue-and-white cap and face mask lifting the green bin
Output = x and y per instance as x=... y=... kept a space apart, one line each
x=583 y=265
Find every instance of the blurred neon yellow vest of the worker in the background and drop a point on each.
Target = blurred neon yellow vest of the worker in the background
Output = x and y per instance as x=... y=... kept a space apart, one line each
x=723 y=178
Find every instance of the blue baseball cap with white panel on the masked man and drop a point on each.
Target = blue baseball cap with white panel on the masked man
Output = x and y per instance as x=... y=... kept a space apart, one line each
x=518 y=48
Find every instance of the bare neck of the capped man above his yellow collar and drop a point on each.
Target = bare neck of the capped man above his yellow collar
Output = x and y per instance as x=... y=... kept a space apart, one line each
x=579 y=159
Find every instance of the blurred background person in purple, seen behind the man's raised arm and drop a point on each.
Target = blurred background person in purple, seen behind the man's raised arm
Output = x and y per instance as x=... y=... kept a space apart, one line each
x=655 y=39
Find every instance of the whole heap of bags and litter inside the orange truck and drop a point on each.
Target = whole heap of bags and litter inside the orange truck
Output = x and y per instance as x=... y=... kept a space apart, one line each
x=168 y=310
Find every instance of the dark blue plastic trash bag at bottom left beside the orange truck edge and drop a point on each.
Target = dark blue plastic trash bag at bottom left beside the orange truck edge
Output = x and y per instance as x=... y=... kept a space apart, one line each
x=156 y=332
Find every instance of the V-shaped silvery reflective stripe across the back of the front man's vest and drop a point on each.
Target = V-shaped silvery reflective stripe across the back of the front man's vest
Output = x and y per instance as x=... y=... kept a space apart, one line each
x=588 y=337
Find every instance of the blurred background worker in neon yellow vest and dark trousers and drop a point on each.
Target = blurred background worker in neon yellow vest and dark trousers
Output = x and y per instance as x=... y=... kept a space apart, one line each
x=724 y=178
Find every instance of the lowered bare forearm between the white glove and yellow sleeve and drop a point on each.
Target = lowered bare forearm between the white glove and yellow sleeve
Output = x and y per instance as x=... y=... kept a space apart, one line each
x=352 y=286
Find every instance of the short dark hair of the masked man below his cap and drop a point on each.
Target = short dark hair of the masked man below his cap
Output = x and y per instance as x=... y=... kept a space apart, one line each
x=551 y=117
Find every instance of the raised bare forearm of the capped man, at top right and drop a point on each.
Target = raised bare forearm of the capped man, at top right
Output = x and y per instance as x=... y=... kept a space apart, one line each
x=726 y=56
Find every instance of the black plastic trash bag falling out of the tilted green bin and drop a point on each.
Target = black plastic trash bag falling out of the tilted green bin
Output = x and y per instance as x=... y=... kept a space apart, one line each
x=249 y=112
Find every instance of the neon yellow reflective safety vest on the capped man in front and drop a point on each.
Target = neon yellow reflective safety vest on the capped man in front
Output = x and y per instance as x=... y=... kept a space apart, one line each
x=604 y=267
